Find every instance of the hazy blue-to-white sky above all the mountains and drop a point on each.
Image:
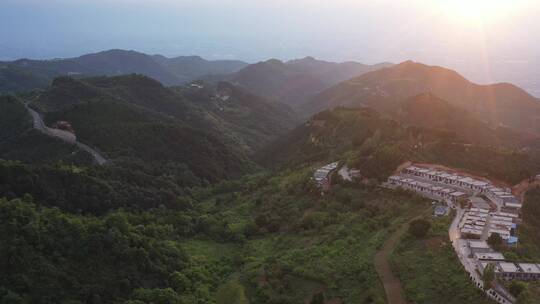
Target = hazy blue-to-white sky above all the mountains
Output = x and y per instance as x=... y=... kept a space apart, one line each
x=448 y=33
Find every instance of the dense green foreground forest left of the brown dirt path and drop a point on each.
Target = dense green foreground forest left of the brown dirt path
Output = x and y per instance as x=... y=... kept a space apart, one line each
x=276 y=236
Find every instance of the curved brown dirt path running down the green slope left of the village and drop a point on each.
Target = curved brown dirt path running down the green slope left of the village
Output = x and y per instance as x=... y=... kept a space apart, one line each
x=391 y=283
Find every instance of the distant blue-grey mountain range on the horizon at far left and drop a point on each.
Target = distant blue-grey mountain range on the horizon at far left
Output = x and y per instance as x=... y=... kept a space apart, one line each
x=27 y=74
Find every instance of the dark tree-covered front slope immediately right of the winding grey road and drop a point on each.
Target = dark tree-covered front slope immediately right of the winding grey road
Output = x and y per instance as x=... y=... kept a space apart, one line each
x=135 y=117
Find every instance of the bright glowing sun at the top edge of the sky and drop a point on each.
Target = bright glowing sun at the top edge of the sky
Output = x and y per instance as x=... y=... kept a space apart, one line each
x=476 y=11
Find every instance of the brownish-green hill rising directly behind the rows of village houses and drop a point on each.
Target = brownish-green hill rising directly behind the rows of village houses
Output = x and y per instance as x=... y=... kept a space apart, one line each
x=377 y=145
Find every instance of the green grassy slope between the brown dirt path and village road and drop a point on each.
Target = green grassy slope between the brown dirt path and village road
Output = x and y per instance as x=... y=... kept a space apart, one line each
x=430 y=271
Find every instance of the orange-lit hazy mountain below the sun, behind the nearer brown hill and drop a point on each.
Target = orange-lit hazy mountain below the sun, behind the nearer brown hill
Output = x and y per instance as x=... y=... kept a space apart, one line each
x=500 y=105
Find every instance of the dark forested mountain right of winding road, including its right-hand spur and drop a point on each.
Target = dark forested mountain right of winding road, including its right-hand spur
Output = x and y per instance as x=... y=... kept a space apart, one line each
x=209 y=128
